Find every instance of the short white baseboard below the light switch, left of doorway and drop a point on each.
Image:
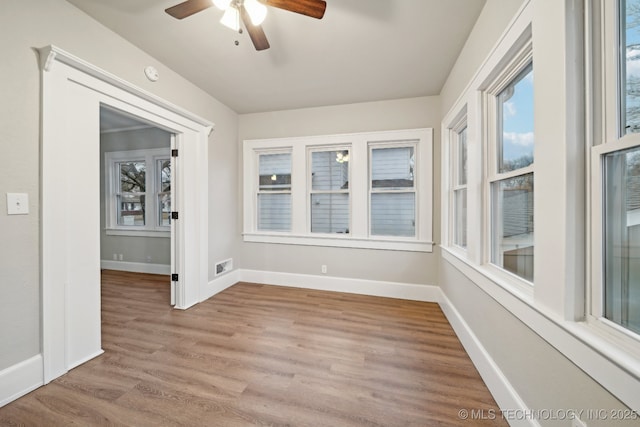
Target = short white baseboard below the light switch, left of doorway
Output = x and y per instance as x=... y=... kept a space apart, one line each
x=20 y=379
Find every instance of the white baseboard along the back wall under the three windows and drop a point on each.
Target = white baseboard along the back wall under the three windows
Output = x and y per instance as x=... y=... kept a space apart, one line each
x=427 y=293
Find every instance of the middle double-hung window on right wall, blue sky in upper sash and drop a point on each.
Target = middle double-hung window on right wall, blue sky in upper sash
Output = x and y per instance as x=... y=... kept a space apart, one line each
x=511 y=172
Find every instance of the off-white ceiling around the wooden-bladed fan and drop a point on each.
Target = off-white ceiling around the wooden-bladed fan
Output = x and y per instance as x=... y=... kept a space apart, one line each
x=362 y=50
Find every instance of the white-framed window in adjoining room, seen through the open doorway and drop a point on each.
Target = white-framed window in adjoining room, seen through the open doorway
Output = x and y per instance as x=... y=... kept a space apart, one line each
x=138 y=192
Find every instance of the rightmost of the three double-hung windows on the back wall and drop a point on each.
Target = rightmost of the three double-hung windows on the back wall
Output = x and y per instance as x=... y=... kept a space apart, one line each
x=393 y=191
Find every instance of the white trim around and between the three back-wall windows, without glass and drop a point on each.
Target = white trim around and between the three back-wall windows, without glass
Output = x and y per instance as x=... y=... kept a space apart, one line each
x=358 y=145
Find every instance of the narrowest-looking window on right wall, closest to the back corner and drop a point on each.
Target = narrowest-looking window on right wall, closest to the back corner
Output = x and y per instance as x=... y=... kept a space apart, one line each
x=459 y=187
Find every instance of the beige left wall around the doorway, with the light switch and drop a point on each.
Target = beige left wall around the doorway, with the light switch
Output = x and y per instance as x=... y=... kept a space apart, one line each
x=29 y=24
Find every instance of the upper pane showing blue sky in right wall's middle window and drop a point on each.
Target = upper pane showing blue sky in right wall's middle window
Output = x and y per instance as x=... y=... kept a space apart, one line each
x=515 y=123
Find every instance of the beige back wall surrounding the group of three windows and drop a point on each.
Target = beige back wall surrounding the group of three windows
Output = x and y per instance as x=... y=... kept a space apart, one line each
x=393 y=266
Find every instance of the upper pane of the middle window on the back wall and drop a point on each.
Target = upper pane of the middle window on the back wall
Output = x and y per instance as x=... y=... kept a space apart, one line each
x=330 y=170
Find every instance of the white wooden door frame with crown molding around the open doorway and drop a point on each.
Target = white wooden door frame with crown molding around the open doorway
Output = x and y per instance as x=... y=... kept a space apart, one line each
x=71 y=332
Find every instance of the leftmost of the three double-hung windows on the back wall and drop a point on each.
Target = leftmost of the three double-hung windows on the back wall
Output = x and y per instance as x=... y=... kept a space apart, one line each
x=274 y=191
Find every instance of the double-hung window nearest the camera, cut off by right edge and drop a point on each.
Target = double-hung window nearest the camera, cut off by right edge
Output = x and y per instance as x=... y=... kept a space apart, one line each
x=615 y=172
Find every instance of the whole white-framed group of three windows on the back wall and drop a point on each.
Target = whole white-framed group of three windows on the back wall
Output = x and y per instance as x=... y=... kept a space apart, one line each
x=366 y=190
